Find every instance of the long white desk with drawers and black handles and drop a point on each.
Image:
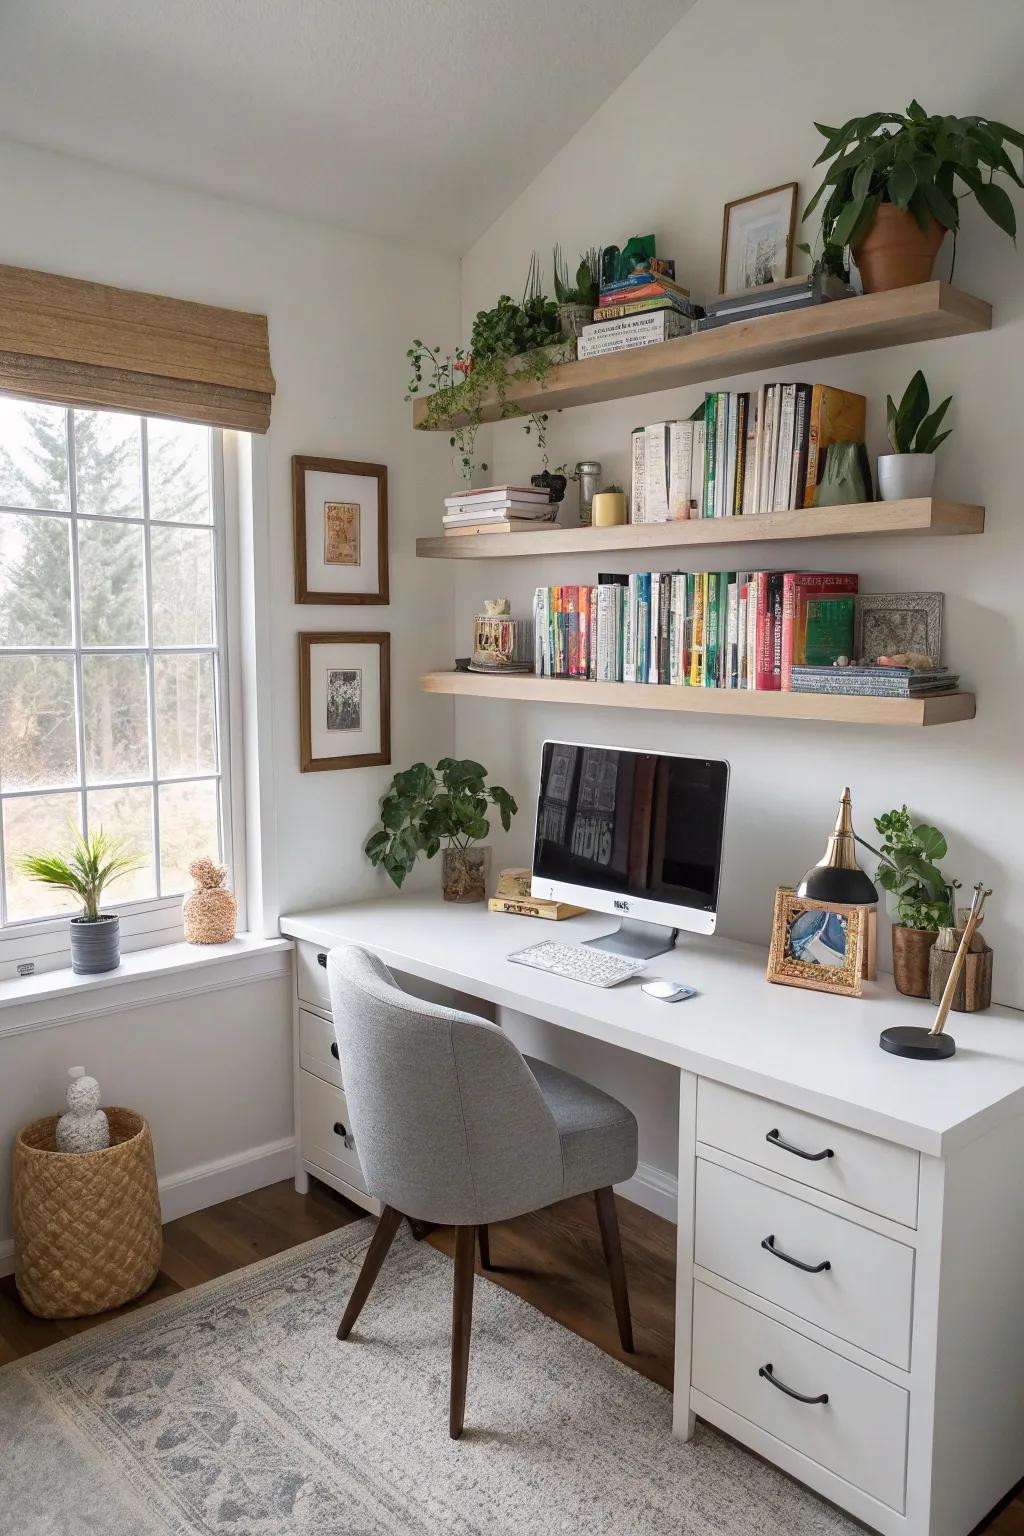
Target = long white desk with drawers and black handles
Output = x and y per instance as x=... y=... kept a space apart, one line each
x=916 y=1329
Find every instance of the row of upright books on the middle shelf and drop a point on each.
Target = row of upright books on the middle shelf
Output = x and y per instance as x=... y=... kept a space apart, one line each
x=745 y=455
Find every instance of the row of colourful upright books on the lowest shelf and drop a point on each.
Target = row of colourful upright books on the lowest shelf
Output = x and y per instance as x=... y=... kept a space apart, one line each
x=755 y=631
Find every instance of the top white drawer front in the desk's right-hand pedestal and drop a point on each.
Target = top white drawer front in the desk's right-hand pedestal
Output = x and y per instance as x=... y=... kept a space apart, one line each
x=868 y=1173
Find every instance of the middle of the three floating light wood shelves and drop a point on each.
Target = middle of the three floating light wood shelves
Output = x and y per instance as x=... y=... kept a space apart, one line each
x=862 y=520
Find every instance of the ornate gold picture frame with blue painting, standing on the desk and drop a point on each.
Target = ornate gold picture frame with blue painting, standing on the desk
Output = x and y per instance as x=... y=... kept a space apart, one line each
x=819 y=945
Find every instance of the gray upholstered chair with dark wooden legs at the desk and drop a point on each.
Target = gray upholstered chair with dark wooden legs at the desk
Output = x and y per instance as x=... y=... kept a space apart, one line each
x=455 y=1127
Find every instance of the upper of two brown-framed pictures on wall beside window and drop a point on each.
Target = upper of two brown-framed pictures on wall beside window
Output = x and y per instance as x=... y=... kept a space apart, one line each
x=340 y=518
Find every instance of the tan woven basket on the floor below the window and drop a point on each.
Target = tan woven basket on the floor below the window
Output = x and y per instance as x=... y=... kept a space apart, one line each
x=87 y=1225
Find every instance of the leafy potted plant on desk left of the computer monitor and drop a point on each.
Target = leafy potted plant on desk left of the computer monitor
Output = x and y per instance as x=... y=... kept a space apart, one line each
x=428 y=809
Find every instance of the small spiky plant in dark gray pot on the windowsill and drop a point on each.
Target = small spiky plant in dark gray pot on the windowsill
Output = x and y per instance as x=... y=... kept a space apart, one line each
x=93 y=864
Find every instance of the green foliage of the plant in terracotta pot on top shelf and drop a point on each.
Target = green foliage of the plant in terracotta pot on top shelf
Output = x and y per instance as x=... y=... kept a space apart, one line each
x=922 y=164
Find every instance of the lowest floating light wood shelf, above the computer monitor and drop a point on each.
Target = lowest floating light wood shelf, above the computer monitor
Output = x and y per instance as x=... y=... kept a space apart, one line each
x=845 y=709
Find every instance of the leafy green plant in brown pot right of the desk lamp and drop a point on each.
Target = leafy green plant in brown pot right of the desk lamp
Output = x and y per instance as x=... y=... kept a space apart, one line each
x=925 y=898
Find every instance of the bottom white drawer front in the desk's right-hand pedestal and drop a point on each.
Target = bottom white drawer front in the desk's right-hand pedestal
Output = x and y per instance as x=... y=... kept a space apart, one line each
x=860 y=1434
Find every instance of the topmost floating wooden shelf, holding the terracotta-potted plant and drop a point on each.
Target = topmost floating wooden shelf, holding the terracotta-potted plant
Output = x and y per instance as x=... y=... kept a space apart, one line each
x=824 y=331
